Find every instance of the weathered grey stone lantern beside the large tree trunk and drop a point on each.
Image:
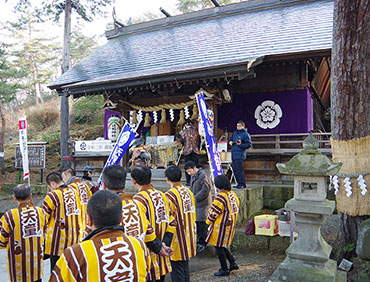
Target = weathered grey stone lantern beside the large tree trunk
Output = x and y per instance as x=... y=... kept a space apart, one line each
x=308 y=257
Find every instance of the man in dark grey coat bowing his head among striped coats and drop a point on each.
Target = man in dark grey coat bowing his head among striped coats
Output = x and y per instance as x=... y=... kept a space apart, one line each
x=200 y=185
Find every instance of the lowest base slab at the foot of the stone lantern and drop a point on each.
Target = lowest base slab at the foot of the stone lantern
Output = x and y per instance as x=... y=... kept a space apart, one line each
x=290 y=270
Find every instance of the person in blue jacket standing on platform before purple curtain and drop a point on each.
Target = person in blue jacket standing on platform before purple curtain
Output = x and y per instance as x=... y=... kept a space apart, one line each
x=240 y=141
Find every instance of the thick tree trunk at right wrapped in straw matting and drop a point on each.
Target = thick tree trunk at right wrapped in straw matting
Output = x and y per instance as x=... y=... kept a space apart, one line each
x=350 y=121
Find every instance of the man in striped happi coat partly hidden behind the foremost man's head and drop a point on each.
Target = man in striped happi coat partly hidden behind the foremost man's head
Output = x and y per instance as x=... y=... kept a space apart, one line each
x=134 y=219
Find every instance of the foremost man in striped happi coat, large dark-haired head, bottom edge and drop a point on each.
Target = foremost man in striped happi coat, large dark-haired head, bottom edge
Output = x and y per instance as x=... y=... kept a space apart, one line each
x=107 y=253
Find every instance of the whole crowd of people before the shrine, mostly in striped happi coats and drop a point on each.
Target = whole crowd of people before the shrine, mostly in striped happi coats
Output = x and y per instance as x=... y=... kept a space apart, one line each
x=110 y=235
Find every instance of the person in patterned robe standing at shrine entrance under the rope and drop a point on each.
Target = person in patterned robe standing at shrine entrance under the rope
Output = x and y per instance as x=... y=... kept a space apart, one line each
x=190 y=140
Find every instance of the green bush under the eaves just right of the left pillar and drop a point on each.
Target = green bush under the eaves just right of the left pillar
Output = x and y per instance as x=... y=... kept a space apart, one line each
x=87 y=108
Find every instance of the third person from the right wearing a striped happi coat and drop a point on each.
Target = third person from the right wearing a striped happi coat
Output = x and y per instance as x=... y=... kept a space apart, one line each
x=157 y=210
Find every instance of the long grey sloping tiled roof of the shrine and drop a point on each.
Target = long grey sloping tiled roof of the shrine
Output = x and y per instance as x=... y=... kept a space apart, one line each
x=214 y=37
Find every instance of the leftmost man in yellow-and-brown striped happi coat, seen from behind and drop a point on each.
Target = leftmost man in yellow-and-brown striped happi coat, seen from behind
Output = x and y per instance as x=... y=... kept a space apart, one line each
x=22 y=233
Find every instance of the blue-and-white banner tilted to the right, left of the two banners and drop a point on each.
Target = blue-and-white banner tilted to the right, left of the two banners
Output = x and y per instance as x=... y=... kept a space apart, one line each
x=123 y=142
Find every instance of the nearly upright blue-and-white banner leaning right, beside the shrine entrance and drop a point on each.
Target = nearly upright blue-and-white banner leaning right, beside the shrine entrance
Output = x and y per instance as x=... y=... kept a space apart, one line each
x=210 y=138
